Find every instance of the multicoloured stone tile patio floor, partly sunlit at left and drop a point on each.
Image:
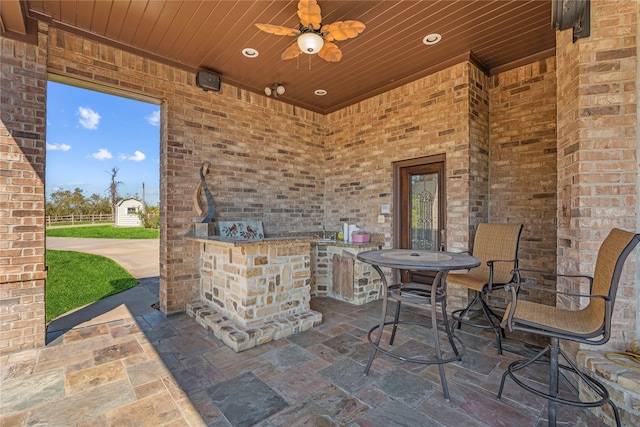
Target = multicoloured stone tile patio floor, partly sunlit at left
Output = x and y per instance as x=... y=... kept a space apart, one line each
x=156 y=371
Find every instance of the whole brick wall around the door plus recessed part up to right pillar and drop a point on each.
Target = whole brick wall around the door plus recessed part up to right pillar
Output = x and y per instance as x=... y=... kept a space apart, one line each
x=490 y=129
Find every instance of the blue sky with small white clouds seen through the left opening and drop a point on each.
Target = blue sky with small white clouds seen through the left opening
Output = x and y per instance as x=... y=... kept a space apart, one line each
x=89 y=133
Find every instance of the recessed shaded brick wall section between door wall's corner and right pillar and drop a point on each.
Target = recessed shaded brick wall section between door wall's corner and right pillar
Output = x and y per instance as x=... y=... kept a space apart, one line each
x=523 y=164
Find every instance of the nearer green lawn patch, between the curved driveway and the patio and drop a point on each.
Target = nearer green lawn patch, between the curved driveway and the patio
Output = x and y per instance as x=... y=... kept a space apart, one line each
x=76 y=279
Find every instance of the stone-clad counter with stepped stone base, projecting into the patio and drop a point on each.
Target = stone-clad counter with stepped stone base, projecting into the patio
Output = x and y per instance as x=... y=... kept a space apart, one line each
x=254 y=291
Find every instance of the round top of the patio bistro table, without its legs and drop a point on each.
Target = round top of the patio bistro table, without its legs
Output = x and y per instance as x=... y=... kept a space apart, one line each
x=415 y=259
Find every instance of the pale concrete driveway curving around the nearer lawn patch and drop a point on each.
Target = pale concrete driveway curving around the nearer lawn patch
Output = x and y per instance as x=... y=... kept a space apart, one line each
x=140 y=257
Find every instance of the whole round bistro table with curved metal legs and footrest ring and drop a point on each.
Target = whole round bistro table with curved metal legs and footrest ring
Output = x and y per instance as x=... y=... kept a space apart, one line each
x=417 y=293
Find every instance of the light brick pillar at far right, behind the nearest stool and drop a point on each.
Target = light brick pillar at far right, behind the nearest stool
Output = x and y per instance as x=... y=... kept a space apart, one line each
x=597 y=150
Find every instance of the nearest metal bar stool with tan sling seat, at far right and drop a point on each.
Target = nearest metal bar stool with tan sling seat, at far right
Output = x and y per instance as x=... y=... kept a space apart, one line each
x=590 y=324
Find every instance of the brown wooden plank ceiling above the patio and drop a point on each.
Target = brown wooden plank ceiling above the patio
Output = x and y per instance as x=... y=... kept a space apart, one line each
x=210 y=35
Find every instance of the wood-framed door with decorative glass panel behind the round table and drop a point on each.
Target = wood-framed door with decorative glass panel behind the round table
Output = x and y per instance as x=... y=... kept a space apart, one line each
x=419 y=207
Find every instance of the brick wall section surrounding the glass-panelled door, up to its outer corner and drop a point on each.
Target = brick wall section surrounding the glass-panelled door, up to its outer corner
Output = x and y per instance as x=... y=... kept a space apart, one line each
x=426 y=117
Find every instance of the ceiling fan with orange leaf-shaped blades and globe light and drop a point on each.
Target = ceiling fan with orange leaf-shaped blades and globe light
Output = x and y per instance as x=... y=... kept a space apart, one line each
x=312 y=36
